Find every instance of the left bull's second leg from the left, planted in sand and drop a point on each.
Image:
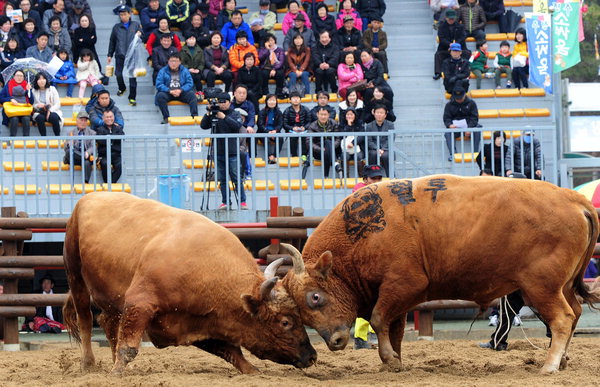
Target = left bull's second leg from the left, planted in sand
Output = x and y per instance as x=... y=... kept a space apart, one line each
x=137 y=314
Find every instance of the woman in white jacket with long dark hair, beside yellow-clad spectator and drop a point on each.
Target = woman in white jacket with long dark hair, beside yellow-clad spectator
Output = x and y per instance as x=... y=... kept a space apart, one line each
x=47 y=105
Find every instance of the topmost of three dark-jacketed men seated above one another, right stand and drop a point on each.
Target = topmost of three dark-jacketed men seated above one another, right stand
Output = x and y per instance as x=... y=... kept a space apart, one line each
x=449 y=32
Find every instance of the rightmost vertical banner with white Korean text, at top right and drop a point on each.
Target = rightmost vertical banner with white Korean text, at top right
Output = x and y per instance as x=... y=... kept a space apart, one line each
x=565 y=34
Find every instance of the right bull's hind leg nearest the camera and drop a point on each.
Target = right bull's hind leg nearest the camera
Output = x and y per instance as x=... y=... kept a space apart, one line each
x=555 y=309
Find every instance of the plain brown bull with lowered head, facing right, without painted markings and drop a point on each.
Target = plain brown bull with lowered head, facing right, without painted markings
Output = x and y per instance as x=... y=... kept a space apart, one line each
x=180 y=277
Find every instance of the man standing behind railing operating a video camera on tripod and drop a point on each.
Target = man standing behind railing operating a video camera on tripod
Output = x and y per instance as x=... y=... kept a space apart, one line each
x=226 y=121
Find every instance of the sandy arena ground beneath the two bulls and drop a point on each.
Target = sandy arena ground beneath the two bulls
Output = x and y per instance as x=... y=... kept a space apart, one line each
x=436 y=363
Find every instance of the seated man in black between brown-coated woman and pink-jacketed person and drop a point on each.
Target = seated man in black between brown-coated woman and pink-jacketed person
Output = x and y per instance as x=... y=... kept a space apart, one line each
x=325 y=61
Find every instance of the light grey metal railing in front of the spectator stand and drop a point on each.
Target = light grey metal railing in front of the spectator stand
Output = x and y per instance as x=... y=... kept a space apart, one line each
x=188 y=171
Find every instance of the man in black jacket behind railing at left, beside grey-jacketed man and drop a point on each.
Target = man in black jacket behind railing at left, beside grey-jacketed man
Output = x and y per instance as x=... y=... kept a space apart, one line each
x=111 y=128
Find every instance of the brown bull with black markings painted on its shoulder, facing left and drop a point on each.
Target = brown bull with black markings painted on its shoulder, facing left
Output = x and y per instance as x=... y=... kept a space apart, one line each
x=393 y=245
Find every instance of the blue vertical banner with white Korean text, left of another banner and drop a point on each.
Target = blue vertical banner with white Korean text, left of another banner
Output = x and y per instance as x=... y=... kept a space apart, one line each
x=540 y=63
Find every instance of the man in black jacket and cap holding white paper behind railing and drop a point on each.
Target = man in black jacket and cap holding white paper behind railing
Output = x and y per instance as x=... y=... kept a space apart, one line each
x=461 y=111
